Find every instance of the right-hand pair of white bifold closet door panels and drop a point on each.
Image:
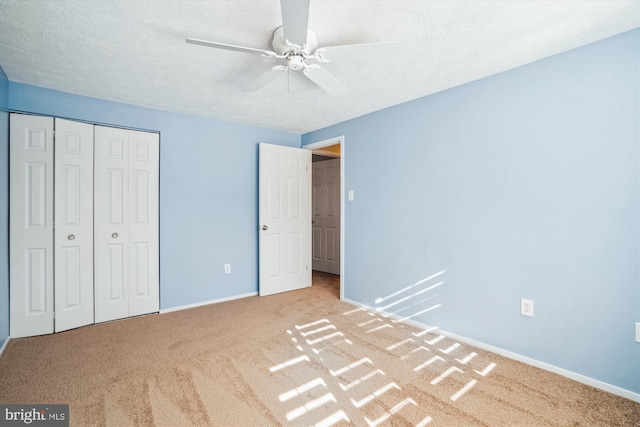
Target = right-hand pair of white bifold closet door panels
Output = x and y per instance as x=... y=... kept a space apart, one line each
x=126 y=216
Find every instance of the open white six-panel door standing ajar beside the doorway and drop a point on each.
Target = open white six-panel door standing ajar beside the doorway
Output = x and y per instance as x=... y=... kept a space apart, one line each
x=285 y=219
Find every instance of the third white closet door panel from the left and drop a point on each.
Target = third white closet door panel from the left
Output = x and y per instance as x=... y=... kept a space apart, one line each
x=111 y=207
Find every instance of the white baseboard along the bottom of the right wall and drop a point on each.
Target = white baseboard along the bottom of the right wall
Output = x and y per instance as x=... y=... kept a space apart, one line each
x=515 y=356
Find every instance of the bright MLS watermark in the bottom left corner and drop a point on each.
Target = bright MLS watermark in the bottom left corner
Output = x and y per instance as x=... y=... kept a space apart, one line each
x=36 y=415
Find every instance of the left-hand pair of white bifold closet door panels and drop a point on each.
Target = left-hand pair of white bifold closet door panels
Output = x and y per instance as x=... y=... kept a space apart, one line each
x=51 y=268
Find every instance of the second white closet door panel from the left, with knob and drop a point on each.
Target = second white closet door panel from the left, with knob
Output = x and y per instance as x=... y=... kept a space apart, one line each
x=73 y=235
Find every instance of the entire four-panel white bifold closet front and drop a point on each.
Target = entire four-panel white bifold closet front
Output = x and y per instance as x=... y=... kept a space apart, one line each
x=83 y=224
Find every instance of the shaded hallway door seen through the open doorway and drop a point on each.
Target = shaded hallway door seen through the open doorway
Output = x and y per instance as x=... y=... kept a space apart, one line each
x=326 y=216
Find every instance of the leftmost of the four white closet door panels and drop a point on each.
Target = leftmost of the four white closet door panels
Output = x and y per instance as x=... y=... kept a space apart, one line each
x=31 y=228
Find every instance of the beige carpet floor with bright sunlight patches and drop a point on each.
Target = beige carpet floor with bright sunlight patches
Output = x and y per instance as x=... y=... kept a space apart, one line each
x=302 y=358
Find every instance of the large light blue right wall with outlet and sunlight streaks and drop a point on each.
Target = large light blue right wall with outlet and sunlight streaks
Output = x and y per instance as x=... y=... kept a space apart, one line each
x=520 y=185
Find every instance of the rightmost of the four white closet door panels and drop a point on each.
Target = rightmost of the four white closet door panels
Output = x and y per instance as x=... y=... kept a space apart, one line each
x=143 y=223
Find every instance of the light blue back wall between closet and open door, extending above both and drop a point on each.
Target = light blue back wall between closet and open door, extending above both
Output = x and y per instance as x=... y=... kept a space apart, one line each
x=208 y=191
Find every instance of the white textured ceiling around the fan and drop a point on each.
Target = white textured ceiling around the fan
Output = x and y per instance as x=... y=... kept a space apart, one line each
x=135 y=51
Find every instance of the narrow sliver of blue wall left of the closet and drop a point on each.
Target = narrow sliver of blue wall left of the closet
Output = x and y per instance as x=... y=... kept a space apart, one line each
x=4 y=208
